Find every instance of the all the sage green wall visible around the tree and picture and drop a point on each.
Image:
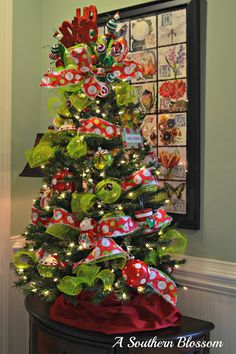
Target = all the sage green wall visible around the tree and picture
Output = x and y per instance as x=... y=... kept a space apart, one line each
x=217 y=237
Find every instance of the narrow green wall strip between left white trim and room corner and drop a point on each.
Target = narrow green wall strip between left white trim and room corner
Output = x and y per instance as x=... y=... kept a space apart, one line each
x=26 y=105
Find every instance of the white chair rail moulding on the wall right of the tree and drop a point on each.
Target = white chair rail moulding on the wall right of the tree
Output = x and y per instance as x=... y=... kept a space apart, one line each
x=208 y=274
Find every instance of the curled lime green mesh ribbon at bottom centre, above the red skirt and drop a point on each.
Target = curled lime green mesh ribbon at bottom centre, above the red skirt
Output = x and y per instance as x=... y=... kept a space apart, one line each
x=88 y=276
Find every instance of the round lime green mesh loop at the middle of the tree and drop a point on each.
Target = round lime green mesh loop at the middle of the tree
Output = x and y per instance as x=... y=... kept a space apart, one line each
x=108 y=191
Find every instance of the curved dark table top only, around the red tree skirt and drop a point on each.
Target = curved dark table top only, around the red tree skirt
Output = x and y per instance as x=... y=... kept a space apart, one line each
x=188 y=327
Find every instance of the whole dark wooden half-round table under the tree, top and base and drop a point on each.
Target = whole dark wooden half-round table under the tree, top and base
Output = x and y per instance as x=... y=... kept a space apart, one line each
x=49 y=337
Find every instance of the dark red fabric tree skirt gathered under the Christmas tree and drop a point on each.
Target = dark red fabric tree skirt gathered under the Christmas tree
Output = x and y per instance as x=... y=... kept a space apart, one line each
x=141 y=313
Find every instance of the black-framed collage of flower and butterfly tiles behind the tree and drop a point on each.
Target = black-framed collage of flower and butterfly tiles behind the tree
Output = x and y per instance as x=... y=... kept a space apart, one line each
x=160 y=36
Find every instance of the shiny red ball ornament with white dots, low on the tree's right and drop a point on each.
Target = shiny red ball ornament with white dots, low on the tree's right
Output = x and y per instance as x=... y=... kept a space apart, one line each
x=136 y=273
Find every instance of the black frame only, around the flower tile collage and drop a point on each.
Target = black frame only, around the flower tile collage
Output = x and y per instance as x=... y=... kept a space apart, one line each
x=194 y=9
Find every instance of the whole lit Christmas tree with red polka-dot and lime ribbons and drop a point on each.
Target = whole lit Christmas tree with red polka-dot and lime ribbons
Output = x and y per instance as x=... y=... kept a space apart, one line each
x=99 y=223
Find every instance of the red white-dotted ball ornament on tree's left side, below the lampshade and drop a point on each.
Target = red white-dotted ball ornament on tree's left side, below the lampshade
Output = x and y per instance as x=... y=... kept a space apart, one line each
x=61 y=181
